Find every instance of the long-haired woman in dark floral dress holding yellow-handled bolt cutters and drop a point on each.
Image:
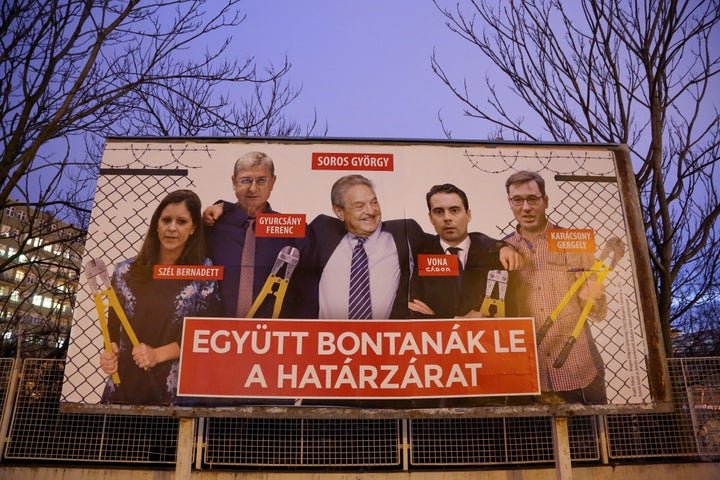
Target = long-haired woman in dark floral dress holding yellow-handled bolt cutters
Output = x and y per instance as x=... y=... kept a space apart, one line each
x=155 y=308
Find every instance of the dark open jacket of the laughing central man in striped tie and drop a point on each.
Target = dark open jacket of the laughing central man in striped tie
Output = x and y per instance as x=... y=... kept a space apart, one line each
x=324 y=235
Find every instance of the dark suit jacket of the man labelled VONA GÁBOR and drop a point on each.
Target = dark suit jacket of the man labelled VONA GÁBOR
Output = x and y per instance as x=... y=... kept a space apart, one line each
x=442 y=293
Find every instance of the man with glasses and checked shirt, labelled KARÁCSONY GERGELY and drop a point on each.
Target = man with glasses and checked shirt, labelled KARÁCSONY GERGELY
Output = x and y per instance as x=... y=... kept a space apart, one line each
x=543 y=281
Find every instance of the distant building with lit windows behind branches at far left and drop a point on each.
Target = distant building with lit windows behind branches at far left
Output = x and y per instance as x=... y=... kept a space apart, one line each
x=39 y=264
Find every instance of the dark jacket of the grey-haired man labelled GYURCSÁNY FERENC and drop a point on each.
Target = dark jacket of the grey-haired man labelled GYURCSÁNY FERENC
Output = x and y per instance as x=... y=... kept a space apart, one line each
x=226 y=240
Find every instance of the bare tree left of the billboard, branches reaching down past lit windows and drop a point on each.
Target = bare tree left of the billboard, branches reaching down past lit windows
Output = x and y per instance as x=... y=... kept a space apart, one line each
x=73 y=72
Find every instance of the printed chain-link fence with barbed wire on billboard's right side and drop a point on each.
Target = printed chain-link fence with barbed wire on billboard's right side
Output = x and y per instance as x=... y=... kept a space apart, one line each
x=590 y=199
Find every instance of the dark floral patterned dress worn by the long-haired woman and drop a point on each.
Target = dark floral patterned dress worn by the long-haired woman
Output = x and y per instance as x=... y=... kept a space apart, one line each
x=155 y=310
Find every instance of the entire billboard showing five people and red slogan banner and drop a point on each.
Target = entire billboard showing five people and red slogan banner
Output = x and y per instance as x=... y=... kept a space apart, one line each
x=233 y=273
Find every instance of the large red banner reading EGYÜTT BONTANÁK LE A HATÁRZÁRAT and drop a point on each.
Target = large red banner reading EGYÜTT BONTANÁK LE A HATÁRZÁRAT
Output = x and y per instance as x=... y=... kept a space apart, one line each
x=337 y=359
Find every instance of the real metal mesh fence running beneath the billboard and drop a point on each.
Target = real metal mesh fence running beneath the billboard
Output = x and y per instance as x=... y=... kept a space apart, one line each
x=39 y=431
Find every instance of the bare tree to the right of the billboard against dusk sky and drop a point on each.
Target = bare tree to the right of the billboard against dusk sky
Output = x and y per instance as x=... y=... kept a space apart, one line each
x=616 y=71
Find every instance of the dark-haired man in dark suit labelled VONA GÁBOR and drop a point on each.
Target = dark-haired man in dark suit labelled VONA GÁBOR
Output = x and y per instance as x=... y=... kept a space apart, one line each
x=451 y=296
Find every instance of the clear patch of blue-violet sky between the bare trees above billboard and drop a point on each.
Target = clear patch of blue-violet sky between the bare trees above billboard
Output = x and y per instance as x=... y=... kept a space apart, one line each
x=365 y=65
